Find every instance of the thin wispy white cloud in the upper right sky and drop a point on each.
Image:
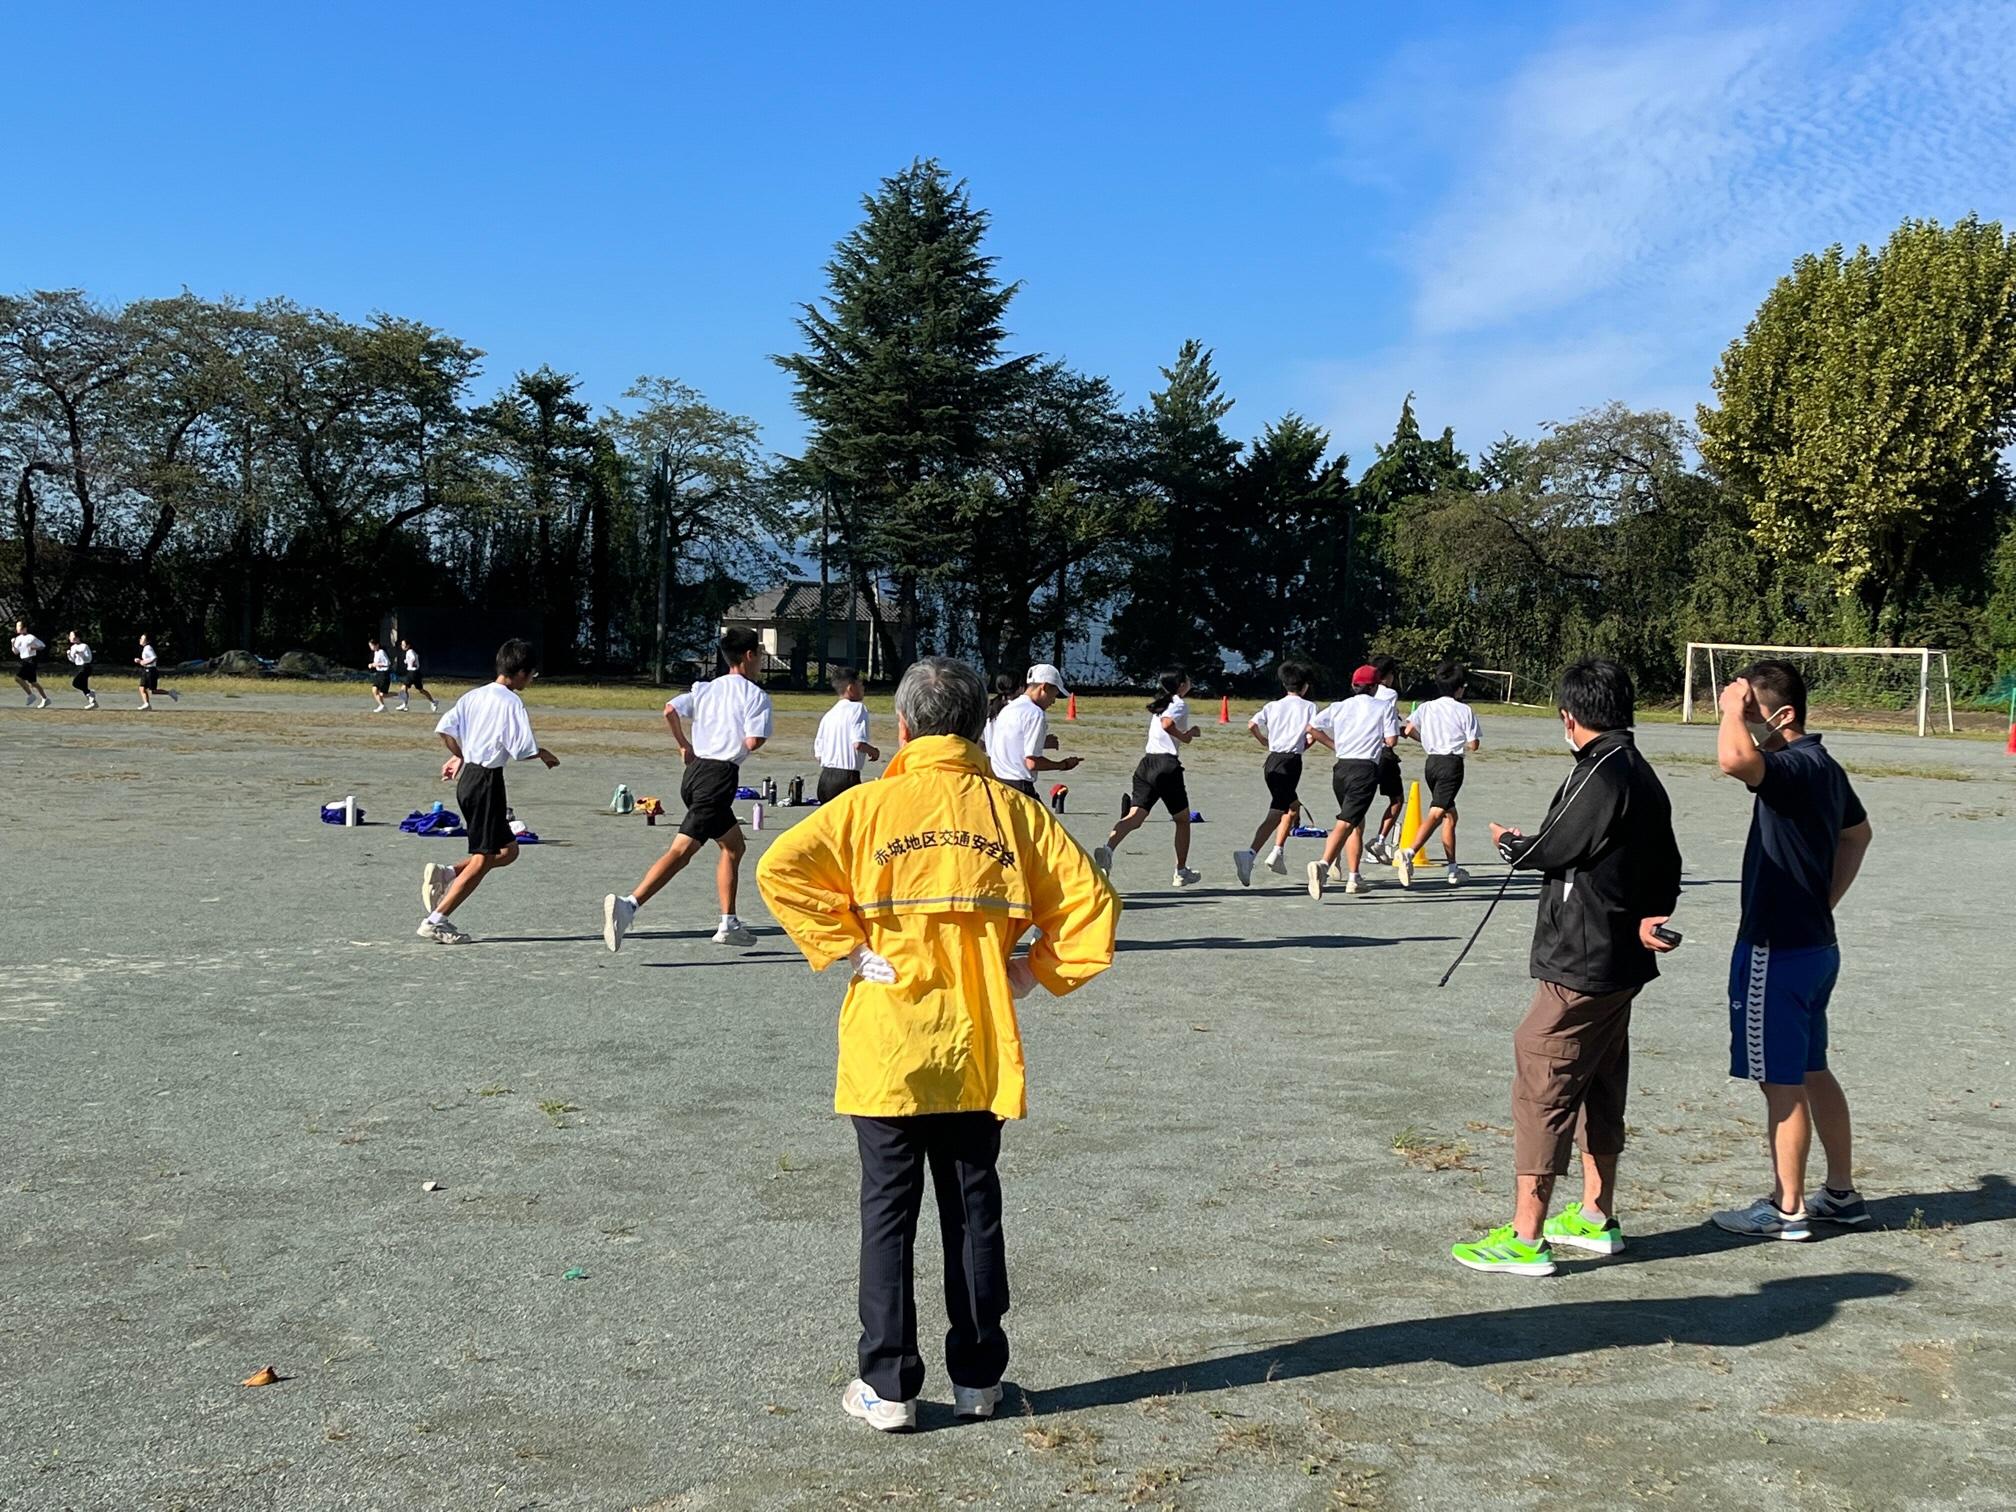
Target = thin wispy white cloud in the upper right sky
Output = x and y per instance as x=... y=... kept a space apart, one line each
x=1616 y=205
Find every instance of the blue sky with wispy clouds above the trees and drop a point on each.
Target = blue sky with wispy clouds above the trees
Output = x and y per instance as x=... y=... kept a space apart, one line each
x=1517 y=217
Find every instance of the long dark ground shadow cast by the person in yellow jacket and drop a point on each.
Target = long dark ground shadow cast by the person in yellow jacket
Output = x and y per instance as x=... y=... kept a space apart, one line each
x=1515 y=1336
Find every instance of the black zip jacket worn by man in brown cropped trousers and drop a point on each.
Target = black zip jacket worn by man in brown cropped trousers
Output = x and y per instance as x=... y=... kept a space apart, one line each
x=1612 y=860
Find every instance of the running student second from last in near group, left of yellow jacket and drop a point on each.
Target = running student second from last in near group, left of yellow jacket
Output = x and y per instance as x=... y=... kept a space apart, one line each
x=731 y=717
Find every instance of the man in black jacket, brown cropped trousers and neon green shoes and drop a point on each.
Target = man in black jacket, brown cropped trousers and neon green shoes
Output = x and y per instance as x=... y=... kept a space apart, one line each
x=1612 y=874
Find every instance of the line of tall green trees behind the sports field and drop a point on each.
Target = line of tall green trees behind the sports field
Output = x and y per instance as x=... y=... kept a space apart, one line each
x=279 y=477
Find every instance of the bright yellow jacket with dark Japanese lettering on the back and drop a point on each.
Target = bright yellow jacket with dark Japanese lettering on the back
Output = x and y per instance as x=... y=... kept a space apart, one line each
x=940 y=870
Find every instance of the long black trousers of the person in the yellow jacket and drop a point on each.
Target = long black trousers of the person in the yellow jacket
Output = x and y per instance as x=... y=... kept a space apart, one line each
x=961 y=1148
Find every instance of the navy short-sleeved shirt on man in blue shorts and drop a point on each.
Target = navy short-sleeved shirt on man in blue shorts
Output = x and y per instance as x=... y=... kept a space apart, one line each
x=1803 y=803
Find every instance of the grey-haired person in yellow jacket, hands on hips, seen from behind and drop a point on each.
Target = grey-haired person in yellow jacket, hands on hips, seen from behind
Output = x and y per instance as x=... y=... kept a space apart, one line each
x=922 y=884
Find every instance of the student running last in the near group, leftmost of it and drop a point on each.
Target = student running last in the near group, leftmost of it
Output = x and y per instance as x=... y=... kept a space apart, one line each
x=485 y=731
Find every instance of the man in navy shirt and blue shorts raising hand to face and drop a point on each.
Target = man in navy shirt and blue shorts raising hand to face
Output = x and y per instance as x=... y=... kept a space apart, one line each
x=1807 y=840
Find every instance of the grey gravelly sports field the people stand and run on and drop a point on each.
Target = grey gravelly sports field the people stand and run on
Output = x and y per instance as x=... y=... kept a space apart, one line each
x=231 y=1069
